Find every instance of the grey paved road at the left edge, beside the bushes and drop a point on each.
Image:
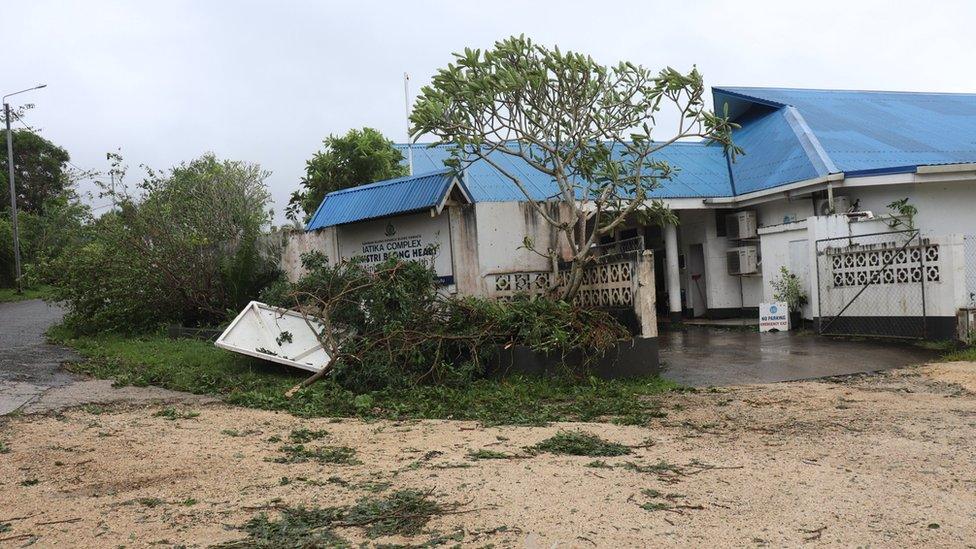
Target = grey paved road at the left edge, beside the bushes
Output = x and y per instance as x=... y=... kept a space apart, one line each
x=31 y=377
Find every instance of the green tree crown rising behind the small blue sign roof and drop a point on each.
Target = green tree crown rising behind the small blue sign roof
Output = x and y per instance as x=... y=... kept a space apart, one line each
x=357 y=158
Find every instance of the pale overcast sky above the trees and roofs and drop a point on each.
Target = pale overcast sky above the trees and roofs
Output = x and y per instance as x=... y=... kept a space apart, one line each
x=266 y=81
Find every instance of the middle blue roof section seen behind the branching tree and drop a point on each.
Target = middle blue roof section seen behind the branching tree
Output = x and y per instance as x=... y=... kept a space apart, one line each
x=701 y=172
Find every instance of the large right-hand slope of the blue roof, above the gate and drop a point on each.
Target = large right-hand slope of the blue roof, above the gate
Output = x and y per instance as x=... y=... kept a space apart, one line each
x=865 y=132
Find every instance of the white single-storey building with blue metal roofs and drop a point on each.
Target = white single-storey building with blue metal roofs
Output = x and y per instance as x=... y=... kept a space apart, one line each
x=817 y=192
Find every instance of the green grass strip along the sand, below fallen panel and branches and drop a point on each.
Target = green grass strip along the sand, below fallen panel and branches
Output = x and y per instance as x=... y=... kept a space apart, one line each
x=198 y=367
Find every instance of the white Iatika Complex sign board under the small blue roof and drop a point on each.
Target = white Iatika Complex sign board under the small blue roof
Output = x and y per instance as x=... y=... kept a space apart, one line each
x=415 y=237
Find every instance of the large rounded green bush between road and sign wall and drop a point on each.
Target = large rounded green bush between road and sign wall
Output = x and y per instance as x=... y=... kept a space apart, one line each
x=187 y=251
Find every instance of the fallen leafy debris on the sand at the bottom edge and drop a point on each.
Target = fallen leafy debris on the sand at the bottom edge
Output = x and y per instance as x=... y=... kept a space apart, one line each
x=403 y=513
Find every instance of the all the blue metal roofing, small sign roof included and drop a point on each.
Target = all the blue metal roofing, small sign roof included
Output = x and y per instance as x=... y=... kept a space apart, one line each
x=788 y=135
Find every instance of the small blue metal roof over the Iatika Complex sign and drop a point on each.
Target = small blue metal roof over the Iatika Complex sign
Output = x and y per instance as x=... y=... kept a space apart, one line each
x=390 y=197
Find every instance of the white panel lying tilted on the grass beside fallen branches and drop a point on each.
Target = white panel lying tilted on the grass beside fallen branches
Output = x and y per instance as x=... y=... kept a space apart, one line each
x=275 y=334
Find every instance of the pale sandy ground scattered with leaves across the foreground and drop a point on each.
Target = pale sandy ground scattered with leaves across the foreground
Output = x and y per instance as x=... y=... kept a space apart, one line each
x=885 y=460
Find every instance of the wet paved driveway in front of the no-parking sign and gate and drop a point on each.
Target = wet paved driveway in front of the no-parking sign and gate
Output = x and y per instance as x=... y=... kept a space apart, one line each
x=702 y=356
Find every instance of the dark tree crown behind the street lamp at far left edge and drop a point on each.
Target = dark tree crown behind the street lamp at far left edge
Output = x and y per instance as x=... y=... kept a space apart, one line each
x=40 y=172
